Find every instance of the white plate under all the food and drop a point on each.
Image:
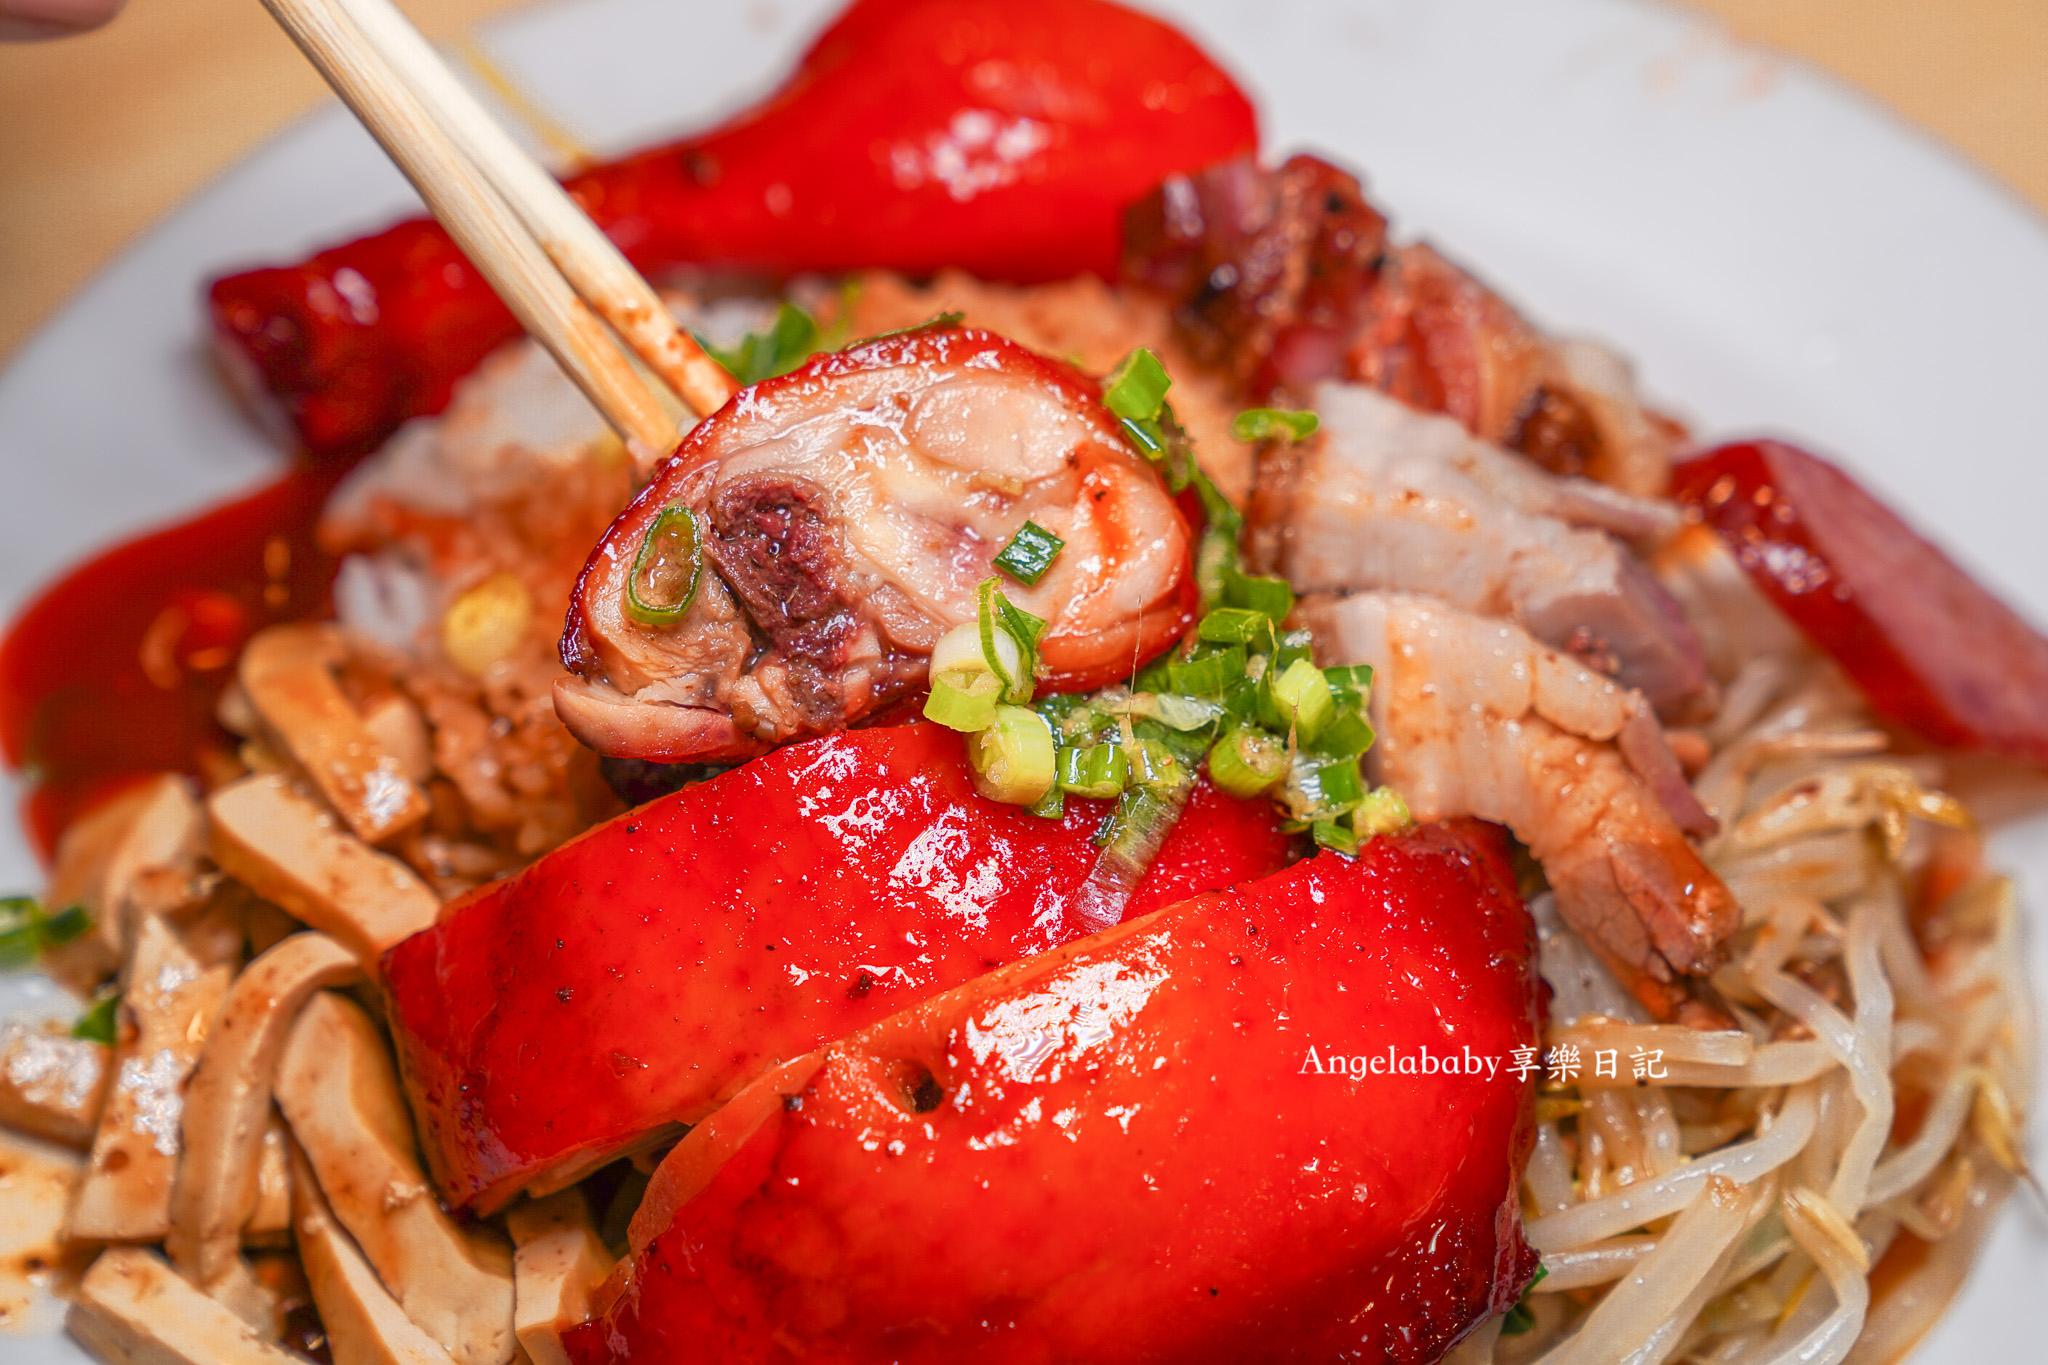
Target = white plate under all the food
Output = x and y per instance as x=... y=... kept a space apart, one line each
x=1777 y=255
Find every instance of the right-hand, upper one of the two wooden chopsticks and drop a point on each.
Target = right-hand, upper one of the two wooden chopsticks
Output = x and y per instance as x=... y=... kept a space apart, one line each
x=595 y=267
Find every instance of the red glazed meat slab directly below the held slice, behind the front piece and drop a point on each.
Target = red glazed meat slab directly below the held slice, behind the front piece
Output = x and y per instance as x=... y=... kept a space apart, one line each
x=646 y=971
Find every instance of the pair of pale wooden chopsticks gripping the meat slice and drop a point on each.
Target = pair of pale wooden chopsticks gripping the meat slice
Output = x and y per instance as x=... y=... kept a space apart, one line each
x=493 y=220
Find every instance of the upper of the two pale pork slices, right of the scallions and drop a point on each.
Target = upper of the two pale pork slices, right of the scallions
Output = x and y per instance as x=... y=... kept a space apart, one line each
x=1390 y=498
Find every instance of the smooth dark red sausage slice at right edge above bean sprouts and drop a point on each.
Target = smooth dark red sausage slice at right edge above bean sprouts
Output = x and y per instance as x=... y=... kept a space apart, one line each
x=1926 y=644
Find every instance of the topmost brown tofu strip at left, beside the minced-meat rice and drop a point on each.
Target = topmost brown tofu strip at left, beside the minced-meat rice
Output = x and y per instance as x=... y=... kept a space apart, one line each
x=288 y=678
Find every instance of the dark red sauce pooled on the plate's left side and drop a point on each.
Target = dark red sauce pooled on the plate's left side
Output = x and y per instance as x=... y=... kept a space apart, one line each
x=116 y=670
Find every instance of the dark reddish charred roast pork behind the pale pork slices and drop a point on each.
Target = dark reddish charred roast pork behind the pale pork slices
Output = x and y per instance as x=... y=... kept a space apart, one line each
x=1285 y=277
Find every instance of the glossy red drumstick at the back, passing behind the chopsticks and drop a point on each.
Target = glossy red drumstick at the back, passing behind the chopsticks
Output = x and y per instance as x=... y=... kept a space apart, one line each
x=914 y=136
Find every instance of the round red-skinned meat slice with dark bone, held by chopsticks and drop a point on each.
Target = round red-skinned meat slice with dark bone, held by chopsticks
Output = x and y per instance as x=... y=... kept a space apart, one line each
x=847 y=515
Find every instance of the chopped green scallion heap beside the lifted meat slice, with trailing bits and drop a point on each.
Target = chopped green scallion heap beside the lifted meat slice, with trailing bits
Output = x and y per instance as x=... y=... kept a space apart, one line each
x=1240 y=693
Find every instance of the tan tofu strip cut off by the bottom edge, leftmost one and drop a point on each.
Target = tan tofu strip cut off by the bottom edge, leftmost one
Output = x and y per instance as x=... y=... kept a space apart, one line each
x=134 y=1311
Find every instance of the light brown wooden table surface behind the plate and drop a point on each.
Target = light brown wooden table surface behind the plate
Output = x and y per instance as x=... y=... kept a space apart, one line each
x=99 y=136
